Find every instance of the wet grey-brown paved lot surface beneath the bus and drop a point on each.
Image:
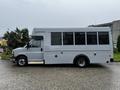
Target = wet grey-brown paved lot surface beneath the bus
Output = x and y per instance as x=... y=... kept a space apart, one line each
x=59 y=77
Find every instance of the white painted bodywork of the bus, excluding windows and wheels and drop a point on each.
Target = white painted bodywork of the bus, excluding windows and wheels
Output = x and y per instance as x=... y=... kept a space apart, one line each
x=60 y=54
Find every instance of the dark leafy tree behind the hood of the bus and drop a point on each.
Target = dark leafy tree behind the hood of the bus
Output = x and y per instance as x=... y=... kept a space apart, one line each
x=17 y=38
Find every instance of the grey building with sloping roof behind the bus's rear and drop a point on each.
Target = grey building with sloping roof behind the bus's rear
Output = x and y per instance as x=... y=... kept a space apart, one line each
x=115 y=27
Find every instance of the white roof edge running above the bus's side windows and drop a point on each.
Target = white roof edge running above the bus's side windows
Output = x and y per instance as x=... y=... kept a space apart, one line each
x=39 y=30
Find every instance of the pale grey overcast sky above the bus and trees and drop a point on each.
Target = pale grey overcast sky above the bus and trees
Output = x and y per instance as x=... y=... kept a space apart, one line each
x=56 y=13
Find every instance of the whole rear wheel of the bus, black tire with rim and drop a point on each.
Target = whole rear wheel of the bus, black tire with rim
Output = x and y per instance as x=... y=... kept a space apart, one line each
x=81 y=62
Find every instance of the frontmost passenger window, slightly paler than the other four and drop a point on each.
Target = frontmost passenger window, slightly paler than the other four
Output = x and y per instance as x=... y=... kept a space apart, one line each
x=56 y=38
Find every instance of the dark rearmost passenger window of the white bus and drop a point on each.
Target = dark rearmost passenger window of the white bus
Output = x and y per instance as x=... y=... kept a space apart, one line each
x=103 y=37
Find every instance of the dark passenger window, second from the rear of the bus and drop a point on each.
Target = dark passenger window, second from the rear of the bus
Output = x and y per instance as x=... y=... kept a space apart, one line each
x=91 y=38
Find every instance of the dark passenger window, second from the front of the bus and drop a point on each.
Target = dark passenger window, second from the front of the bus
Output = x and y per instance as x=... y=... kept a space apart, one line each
x=67 y=38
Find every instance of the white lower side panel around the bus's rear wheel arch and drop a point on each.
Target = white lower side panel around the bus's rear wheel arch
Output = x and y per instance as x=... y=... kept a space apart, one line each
x=64 y=57
